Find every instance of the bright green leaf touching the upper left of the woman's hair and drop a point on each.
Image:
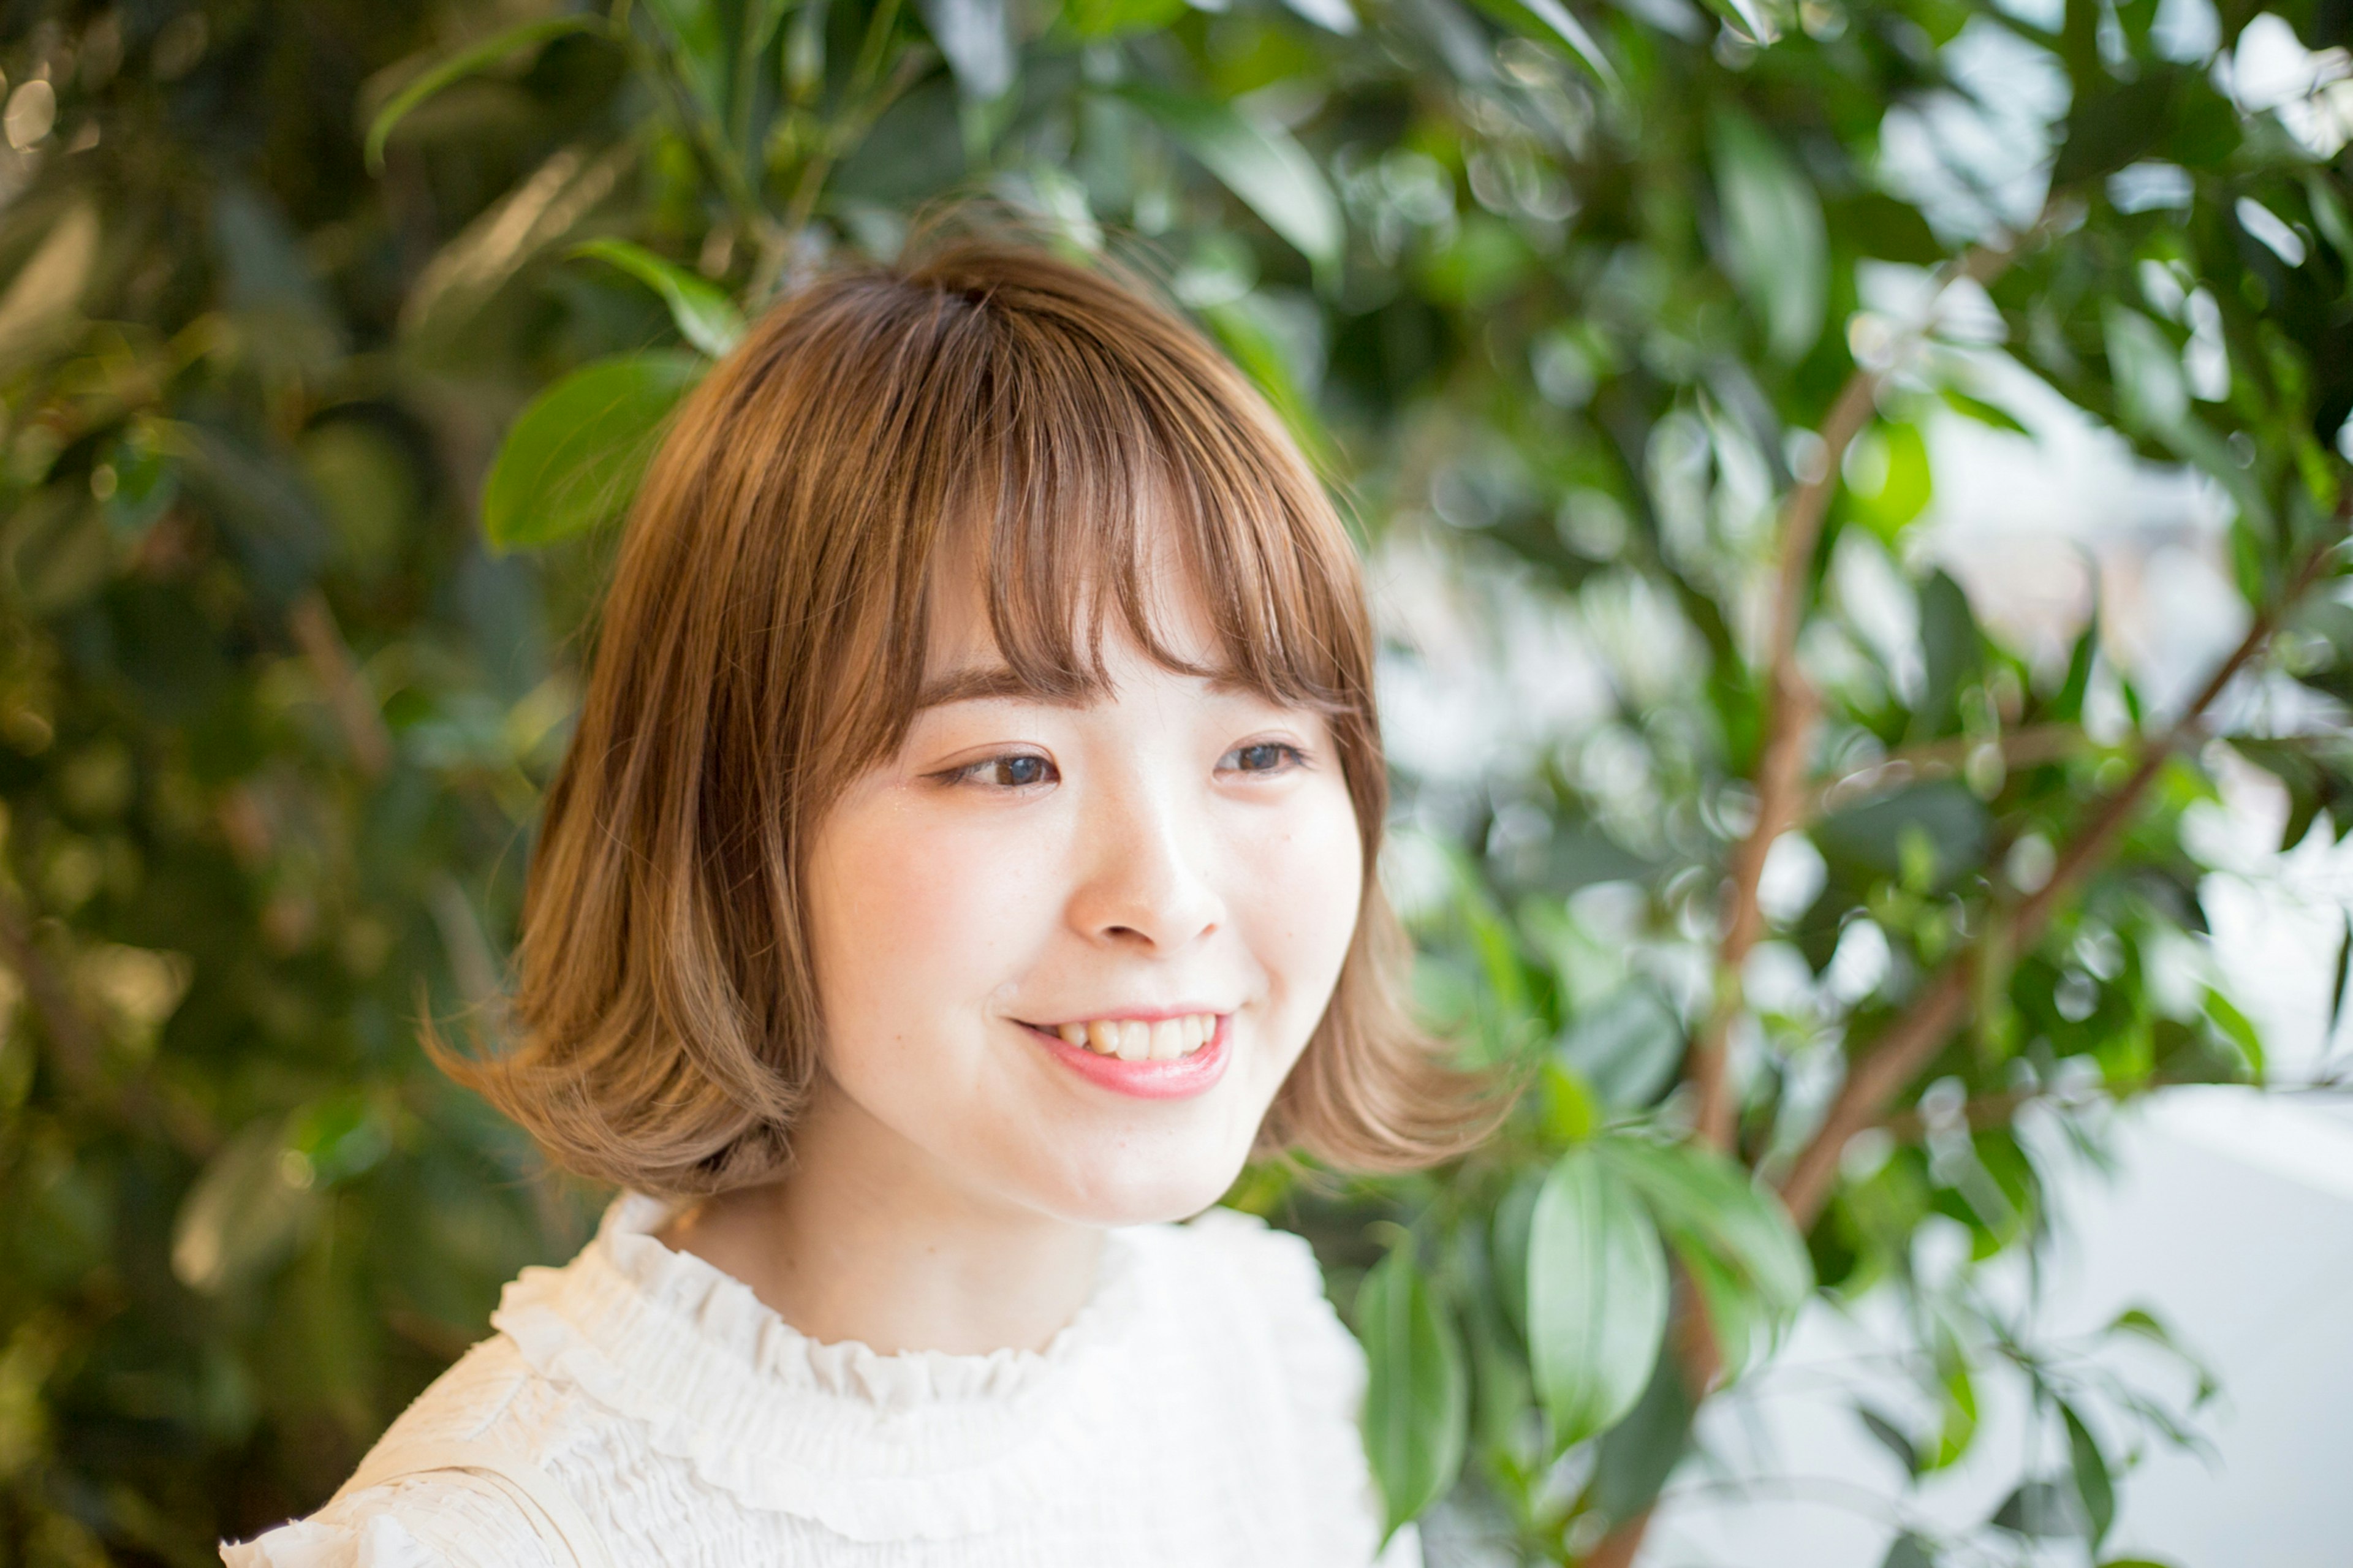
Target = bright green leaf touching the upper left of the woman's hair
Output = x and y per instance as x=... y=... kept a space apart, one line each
x=578 y=451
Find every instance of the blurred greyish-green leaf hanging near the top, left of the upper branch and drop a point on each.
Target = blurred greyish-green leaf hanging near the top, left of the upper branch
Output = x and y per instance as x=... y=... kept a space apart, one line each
x=1775 y=244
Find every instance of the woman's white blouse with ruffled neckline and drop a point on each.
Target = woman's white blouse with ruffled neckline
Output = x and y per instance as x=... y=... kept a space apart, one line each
x=1199 y=1411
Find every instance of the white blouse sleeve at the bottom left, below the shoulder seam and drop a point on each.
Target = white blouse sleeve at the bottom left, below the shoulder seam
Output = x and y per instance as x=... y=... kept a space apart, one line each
x=444 y=1520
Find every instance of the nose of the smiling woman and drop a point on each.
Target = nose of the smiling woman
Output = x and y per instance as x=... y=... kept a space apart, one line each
x=1142 y=877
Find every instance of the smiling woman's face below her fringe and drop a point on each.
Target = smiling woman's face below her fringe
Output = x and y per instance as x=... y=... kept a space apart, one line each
x=1069 y=952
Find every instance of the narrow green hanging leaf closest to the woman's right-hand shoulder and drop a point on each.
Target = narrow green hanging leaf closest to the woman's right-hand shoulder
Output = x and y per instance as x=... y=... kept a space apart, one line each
x=1418 y=1400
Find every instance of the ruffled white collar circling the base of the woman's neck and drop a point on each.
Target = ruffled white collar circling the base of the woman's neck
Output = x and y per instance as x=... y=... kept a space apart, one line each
x=874 y=1447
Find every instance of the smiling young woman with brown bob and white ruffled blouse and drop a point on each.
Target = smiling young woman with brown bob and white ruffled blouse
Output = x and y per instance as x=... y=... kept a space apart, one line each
x=966 y=861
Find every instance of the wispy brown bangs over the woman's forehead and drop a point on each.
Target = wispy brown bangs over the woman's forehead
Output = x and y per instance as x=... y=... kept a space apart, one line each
x=1084 y=486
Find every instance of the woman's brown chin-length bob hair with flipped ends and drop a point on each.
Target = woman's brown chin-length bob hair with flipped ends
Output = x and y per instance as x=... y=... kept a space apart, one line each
x=764 y=644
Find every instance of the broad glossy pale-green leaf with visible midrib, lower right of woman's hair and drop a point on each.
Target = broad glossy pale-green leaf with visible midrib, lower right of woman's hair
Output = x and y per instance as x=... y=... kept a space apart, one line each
x=1597 y=1296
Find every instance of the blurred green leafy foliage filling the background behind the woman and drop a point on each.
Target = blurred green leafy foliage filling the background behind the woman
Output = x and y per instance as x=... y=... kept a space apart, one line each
x=1587 y=295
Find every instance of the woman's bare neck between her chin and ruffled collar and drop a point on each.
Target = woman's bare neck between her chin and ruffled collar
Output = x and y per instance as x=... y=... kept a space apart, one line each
x=869 y=1242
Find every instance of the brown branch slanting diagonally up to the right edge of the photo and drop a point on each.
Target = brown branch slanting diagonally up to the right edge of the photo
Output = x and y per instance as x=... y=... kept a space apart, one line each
x=1907 y=1047
